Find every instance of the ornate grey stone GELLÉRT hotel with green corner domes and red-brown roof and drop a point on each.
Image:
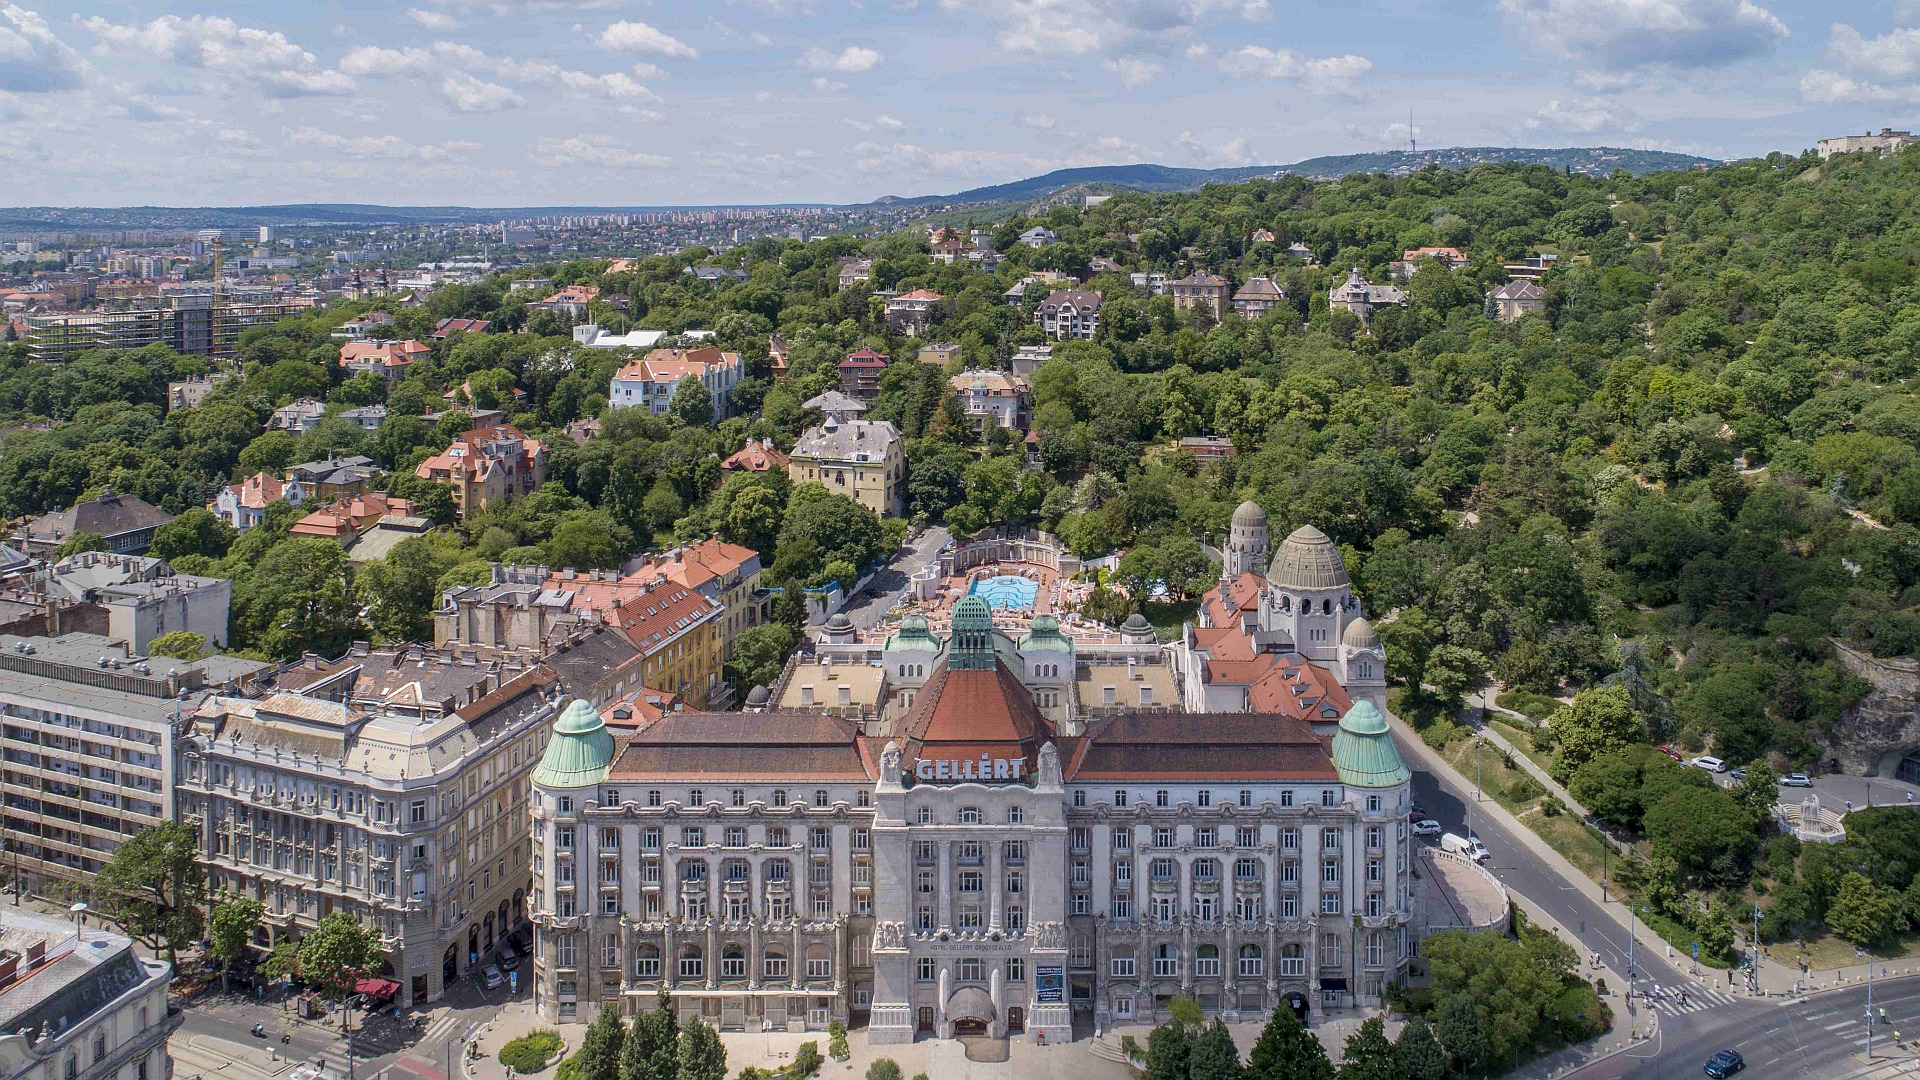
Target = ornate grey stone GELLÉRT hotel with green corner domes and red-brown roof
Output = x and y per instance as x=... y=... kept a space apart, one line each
x=976 y=858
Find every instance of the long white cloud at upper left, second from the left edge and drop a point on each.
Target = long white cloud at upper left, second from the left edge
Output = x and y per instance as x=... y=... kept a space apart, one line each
x=216 y=43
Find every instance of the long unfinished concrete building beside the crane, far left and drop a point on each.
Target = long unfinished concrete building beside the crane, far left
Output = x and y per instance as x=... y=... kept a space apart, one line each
x=195 y=326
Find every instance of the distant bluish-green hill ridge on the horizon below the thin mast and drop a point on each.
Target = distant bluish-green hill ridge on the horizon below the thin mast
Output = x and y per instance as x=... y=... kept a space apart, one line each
x=1168 y=180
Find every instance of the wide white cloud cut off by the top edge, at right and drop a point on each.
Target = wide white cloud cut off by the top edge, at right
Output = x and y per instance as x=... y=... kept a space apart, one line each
x=1639 y=36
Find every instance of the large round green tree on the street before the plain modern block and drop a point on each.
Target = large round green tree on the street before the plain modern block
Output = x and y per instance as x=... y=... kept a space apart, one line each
x=155 y=887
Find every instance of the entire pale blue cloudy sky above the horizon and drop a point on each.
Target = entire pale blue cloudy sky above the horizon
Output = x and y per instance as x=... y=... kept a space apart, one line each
x=514 y=103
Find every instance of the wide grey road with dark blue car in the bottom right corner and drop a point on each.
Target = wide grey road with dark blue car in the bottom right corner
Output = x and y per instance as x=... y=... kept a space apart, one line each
x=1817 y=1037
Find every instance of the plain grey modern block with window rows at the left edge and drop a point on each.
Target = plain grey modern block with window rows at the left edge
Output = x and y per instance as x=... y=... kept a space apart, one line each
x=87 y=747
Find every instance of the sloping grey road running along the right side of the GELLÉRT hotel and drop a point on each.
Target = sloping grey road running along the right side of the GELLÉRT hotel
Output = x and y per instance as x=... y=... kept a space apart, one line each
x=1522 y=873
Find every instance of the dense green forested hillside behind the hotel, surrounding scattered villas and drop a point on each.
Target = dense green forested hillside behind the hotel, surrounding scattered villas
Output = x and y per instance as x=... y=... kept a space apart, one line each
x=1702 y=458
